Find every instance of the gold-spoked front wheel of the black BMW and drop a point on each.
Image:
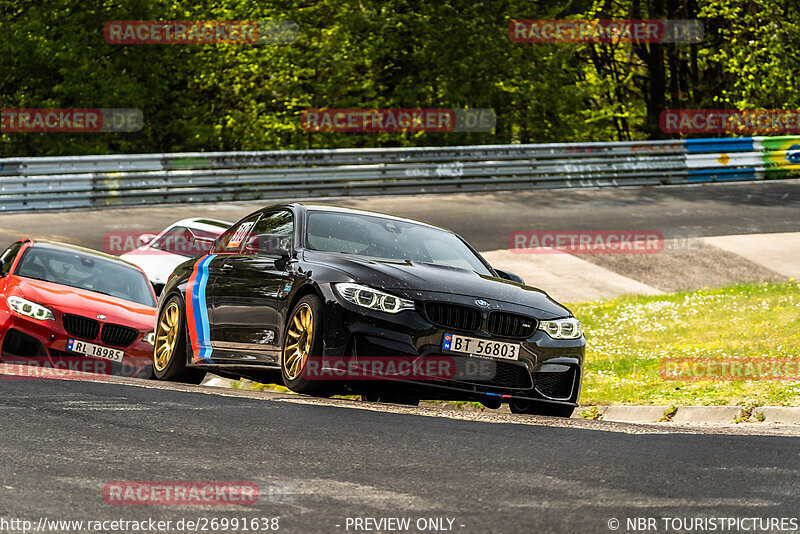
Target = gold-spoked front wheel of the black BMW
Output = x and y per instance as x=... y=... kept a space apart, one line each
x=302 y=338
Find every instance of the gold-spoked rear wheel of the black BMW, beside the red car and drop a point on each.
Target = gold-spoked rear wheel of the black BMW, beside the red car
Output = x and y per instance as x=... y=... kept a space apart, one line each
x=171 y=335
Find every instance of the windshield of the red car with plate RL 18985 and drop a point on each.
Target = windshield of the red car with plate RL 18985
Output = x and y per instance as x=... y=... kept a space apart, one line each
x=86 y=271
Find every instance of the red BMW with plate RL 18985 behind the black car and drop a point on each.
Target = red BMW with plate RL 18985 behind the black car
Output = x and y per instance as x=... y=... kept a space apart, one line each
x=62 y=302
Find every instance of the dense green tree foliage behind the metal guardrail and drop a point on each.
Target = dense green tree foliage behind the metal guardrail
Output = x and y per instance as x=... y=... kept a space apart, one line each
x=385 y=53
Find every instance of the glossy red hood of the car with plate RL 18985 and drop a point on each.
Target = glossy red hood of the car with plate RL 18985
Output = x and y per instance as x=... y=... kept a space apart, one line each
x=87 y=303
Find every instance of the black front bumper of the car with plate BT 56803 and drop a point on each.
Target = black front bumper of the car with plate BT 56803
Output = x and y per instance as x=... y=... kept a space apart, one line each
x=547 y=369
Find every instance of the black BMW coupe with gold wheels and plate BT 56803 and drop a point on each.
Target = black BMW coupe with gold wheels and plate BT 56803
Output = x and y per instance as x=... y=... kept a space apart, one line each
x=339 y=300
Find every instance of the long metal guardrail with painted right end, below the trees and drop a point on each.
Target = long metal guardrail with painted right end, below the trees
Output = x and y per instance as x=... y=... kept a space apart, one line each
x=125 y=180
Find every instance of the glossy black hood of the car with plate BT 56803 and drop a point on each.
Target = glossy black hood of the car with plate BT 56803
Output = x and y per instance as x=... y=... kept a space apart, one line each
x=408 y=277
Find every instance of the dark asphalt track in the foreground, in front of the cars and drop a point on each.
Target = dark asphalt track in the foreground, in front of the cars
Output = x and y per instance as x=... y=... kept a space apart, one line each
x=318 y=462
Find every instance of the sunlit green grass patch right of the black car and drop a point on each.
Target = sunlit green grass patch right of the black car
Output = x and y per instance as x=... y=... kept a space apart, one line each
x=628 y=337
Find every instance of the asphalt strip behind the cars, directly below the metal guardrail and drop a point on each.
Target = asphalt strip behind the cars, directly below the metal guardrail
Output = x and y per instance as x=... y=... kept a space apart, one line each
x=484 y=219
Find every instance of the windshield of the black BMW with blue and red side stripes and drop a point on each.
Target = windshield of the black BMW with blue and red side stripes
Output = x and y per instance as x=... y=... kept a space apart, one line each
x=389 y=239
